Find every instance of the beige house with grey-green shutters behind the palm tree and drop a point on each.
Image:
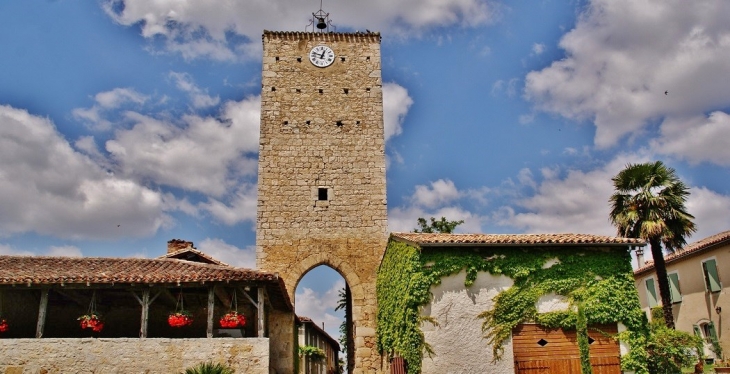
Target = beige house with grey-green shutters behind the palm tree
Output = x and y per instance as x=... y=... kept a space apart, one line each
x=699 y=281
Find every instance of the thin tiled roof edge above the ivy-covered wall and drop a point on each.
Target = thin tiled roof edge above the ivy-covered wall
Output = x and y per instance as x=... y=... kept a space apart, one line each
x=512 y=239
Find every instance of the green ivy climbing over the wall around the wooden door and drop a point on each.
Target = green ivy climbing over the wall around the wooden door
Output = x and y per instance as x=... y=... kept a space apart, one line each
x=596 y=282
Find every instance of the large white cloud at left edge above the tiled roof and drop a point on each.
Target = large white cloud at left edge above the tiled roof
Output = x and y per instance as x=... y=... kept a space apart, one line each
x=49 y=188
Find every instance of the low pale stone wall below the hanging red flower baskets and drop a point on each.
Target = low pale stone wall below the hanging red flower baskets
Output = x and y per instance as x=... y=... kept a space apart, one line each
x=130 y=355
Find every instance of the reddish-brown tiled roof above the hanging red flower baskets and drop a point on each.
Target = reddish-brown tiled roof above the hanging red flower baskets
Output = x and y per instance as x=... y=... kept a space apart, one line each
x=34 y=271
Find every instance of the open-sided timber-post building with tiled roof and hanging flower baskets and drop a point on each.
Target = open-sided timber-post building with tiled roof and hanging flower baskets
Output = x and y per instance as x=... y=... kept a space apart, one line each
x=42 y=299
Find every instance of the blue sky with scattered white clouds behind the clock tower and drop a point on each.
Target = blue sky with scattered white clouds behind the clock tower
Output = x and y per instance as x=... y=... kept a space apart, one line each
x=124 y=124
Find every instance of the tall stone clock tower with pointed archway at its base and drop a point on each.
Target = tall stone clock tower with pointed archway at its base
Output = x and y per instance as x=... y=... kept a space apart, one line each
x=321 y=187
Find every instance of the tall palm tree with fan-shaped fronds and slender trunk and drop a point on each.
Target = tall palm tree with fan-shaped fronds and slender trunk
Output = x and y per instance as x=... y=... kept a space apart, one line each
x=649 y=204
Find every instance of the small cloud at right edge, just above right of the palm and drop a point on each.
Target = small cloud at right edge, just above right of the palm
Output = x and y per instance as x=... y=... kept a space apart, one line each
x=696 y=139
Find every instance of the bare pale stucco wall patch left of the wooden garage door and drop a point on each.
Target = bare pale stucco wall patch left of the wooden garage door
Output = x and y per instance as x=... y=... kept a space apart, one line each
x=457 y=341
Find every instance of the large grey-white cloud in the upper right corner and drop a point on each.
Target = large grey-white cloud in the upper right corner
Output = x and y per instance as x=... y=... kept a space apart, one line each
x=624 y=54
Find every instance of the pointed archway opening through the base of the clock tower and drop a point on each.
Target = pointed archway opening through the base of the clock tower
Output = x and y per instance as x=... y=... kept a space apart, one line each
x=323 y=299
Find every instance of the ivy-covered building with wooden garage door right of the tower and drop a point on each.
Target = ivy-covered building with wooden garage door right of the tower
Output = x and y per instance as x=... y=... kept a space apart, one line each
x=518 y=287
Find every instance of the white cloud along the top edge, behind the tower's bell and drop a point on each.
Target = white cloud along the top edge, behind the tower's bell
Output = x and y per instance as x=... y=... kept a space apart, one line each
x=205 y=29
